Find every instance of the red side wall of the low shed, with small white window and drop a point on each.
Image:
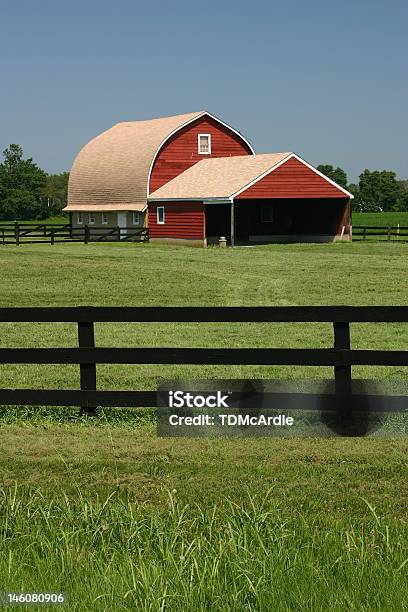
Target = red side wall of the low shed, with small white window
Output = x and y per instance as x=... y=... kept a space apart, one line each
x=182 y=220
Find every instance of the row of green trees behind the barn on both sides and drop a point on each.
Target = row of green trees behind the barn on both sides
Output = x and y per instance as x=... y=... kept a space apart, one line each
x=28 y=192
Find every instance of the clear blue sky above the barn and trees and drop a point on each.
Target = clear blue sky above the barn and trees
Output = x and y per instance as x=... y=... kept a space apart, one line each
x=327 y=80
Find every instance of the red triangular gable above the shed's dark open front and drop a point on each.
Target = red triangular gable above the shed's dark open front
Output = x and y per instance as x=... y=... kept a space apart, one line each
x=292 y=179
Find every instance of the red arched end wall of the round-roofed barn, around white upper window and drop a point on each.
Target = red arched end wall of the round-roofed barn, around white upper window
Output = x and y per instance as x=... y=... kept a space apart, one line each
x=181 y=151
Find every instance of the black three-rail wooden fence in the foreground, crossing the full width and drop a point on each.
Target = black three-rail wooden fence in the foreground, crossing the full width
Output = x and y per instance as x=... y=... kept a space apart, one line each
x=341 y=356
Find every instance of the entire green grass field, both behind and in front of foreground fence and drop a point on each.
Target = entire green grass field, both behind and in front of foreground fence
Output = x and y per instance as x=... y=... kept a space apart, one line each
x=122 y=520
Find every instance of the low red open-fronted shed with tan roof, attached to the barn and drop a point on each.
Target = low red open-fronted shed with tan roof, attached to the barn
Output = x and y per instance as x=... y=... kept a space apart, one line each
x=275 y=197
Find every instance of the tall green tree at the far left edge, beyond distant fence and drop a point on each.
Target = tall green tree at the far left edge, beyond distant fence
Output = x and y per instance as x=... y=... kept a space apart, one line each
x=21 y=186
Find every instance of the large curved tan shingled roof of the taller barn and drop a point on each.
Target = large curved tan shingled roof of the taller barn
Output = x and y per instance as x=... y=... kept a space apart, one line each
x=111 y=172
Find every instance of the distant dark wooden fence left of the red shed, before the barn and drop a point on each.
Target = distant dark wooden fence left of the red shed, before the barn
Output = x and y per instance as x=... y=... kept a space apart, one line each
x=36 y=233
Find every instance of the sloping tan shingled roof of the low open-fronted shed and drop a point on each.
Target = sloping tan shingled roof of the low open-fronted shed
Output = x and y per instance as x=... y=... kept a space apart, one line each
x=218 y=177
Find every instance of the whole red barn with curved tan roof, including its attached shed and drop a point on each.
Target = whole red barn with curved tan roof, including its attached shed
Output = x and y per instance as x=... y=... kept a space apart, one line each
x=199 y=179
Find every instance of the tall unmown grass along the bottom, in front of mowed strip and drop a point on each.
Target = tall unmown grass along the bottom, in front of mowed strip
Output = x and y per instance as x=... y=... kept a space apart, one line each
x=111 y=554
